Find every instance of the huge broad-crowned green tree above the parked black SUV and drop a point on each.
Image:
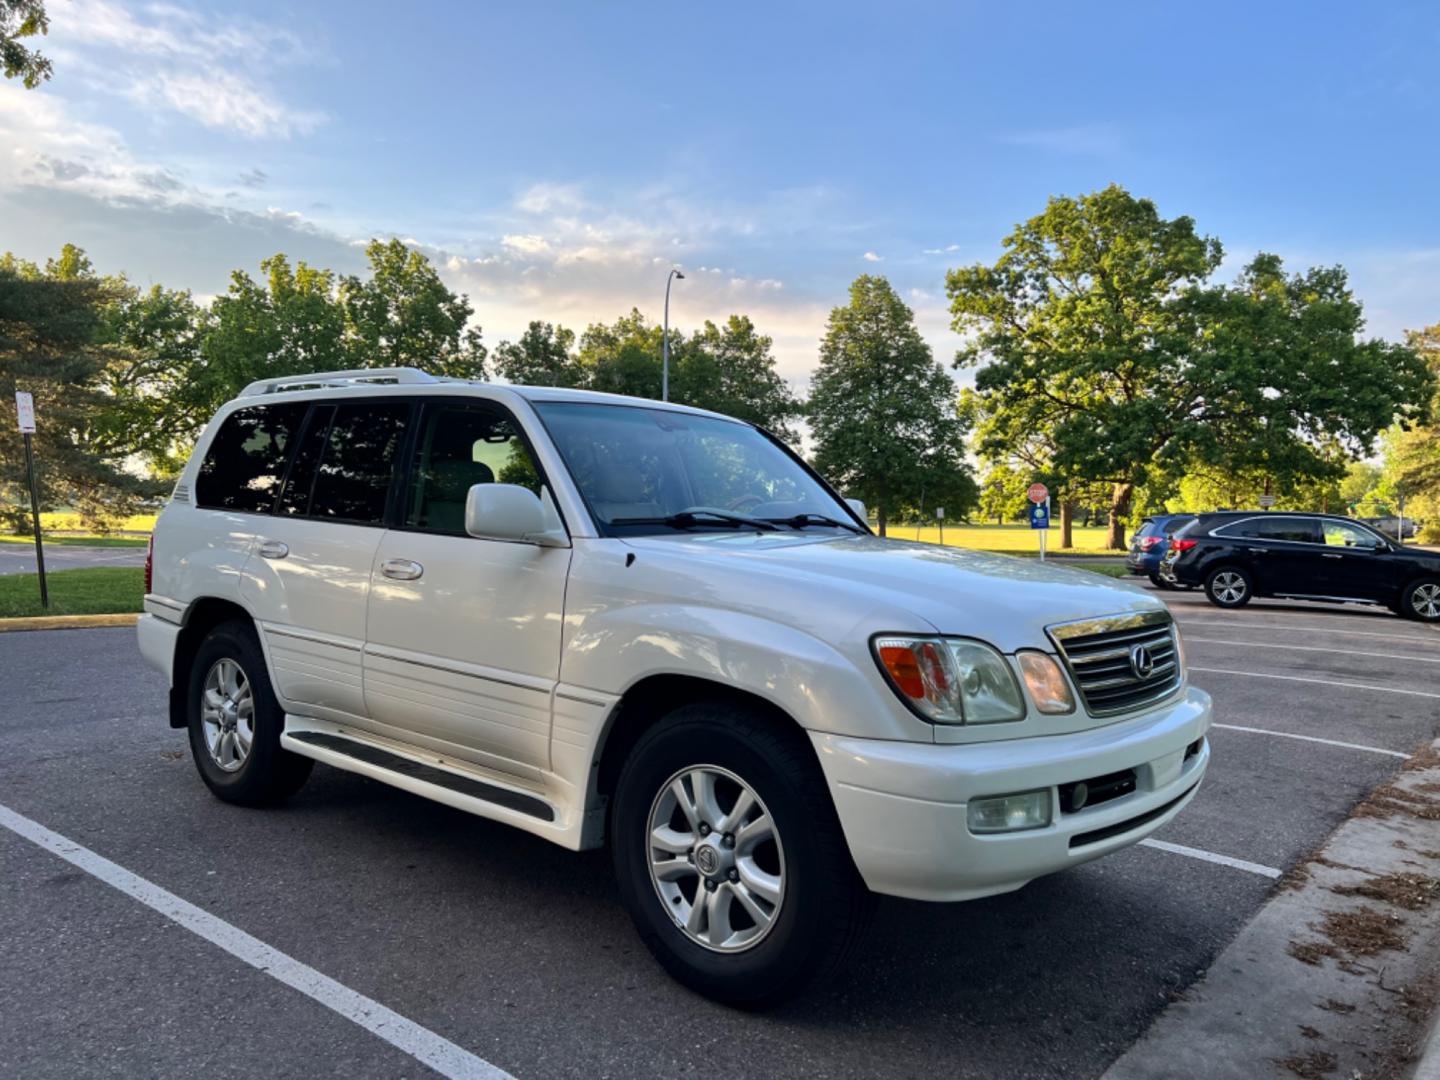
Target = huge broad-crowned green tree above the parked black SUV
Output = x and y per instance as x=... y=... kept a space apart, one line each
x=1099 y=328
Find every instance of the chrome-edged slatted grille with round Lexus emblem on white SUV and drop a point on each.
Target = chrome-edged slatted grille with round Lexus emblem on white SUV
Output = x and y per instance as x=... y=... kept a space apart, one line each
x=1108 y=669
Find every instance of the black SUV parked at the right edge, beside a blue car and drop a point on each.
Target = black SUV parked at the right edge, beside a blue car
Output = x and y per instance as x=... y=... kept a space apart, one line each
x=1239 y=555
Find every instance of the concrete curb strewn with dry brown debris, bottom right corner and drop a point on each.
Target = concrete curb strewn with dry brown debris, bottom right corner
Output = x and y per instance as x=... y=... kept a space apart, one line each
x=1295 y=994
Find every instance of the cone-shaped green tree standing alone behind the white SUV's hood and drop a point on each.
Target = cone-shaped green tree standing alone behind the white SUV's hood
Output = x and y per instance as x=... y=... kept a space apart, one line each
x=883 y=413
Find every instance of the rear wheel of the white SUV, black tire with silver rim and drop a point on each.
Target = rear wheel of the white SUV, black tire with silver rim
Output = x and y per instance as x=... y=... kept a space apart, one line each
x=235 y=722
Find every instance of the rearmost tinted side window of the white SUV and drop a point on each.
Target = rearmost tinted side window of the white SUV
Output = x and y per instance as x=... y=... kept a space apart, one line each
x=244 y=467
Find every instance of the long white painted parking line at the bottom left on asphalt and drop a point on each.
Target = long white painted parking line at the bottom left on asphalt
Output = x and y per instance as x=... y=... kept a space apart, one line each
x=407 y=1036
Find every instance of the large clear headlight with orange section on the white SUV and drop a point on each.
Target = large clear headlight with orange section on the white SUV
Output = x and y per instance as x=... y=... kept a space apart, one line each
x=951 y=680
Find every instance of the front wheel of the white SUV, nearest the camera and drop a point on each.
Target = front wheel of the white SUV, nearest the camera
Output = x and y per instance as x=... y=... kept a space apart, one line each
x=731 y=858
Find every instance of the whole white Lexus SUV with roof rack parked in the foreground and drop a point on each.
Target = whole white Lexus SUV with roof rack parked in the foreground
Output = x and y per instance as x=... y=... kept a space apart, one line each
x=614 y=621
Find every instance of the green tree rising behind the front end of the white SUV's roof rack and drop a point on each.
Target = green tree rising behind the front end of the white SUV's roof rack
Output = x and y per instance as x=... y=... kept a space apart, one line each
x=404 y=316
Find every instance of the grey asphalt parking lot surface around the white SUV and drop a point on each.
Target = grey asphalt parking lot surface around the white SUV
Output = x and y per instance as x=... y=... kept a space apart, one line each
x=521 y=954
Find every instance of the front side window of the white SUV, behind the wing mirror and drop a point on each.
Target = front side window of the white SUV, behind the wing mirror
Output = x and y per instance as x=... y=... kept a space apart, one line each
x=463 y=446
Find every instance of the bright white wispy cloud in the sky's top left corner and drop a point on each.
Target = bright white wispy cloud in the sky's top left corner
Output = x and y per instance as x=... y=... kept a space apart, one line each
x=179 y=61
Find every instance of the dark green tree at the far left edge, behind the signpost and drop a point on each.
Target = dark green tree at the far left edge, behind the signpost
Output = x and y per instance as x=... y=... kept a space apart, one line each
x=51 y=325
